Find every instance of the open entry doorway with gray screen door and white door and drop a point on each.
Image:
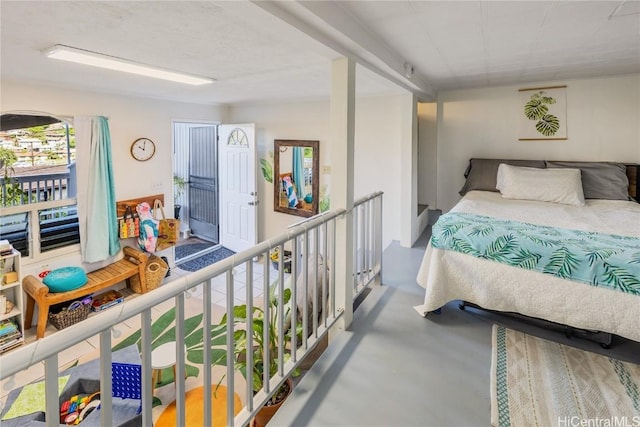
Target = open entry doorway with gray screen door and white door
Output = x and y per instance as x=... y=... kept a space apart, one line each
x=218 y=204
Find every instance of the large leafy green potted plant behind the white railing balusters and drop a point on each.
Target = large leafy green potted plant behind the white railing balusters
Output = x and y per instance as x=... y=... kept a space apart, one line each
x=260 y=348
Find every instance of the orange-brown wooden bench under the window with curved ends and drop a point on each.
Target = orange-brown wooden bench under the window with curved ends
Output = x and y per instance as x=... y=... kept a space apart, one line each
x=133 y=263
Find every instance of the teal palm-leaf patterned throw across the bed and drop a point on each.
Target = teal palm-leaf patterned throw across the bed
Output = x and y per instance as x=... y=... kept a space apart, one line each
x=598 y=259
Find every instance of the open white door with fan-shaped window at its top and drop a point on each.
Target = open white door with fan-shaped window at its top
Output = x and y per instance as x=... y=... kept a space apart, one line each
x=238 y=186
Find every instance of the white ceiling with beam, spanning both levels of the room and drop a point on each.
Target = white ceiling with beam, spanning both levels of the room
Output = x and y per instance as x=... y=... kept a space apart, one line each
x=269 y=51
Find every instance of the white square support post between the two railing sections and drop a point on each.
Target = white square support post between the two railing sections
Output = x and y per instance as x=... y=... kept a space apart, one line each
x=342 y=126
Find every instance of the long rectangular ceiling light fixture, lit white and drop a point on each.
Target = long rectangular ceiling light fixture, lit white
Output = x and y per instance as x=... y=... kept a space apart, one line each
x=86 y=57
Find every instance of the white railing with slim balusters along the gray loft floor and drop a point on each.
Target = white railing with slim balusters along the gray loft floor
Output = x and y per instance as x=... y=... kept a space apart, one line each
x=312 y=245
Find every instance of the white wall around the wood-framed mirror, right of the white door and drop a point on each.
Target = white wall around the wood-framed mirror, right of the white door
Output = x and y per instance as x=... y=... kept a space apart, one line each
x=377 y=152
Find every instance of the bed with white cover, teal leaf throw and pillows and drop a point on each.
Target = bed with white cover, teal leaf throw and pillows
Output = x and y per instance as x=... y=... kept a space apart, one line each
x=605 y=210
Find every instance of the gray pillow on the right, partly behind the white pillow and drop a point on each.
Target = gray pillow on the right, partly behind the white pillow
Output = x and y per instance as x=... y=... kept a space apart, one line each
x=600 y=180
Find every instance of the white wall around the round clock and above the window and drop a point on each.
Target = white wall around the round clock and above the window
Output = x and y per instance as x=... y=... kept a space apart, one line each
x=129 y=118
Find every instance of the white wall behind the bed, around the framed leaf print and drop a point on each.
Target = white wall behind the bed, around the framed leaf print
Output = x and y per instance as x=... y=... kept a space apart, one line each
x=603 y=124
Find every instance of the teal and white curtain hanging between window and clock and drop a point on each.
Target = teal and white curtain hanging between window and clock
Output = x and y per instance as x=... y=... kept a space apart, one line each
x=101 y=238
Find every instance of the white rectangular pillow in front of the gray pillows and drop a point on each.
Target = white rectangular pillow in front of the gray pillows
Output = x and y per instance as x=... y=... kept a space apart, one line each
x=545 y=185
